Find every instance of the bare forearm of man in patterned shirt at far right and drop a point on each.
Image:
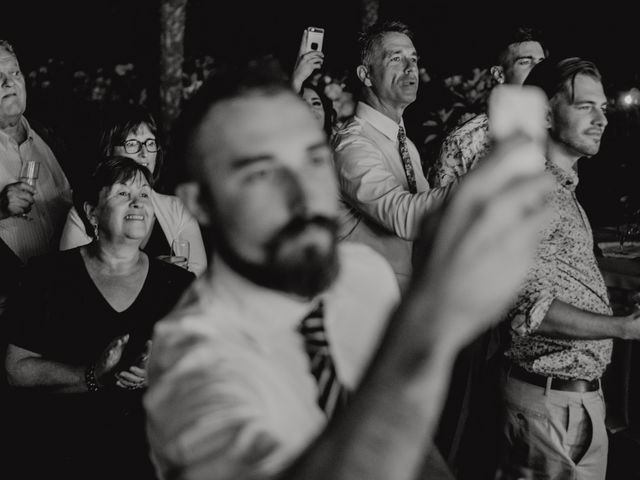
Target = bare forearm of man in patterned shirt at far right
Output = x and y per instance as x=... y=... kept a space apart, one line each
x=566 y=321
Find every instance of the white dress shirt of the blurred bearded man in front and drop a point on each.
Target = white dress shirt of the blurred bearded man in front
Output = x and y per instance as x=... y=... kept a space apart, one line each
x=231 y=394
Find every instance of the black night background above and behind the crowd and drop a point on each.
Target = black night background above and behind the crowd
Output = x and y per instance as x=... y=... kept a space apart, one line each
x=451 y=37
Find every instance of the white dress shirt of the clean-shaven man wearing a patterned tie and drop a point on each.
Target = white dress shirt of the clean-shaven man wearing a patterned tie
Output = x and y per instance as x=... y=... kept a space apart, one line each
x=380 y=211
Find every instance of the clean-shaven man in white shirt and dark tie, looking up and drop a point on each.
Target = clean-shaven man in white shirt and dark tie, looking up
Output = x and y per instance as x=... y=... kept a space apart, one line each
x=383 y=188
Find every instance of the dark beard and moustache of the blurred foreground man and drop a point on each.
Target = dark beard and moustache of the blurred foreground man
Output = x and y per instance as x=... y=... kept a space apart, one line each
x=310 y=273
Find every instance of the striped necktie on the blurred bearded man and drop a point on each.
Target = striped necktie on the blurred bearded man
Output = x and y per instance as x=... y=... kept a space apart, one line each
x=331 y=394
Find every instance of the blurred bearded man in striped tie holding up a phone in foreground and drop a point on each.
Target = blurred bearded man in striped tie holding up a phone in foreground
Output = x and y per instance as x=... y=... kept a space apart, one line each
x=268 y=344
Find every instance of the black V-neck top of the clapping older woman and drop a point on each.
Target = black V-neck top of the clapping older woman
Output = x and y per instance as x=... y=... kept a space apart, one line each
x=60 y=314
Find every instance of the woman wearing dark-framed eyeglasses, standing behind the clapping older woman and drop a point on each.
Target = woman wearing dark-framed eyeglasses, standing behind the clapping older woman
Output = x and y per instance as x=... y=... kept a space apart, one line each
x=132 y=133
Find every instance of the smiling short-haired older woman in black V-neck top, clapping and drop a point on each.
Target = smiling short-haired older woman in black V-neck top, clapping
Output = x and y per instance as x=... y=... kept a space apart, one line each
x=79 y=330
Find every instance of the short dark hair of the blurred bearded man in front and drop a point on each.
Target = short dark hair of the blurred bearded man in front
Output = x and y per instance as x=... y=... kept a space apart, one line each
x=260 y=77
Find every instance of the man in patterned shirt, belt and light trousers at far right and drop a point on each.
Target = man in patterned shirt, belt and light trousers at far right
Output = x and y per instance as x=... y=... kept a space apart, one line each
x=561 y=324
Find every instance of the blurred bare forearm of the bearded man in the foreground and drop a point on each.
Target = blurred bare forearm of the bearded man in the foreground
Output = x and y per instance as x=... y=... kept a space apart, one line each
x=386 y=431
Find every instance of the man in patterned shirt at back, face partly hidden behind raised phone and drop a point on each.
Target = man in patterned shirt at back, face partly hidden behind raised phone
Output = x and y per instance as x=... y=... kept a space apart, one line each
x=470 y=142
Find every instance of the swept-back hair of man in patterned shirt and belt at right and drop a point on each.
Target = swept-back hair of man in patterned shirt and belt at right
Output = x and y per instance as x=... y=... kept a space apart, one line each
x=555 y=77
